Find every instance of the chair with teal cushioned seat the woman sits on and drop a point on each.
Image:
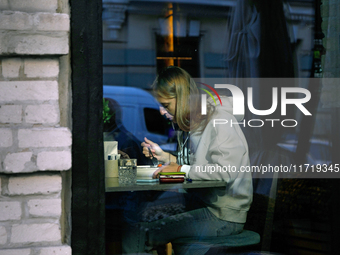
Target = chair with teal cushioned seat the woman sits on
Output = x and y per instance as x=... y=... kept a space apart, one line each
x=260 y=217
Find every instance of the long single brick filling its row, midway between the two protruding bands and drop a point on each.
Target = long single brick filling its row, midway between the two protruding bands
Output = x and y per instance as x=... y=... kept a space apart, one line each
x=28 y=90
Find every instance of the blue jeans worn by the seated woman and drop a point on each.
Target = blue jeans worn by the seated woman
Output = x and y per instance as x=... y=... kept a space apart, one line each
x=163 y=222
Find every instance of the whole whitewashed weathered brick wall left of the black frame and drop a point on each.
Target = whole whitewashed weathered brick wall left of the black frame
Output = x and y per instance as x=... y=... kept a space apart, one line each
x=35 y=120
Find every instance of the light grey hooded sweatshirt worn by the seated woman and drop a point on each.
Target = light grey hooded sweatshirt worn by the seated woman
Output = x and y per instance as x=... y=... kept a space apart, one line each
x=220 y=152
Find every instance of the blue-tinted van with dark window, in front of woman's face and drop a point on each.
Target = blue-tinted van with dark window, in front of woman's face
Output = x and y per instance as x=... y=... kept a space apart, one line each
x=140 y=113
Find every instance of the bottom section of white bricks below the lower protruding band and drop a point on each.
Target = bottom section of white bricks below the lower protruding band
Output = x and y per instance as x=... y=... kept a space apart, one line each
x=38 y=200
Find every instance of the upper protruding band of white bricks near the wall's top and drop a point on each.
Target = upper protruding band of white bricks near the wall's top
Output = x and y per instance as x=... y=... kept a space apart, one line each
x=40 y=41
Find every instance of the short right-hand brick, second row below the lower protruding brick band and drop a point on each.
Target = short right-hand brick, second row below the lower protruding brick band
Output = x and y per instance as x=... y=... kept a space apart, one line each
x=44 y=207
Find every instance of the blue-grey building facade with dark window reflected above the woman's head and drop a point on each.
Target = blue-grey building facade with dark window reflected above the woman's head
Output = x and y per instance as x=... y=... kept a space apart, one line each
x=141 y=37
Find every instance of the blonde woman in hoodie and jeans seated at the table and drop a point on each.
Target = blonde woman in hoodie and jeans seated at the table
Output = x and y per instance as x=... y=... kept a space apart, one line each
x=203 y=149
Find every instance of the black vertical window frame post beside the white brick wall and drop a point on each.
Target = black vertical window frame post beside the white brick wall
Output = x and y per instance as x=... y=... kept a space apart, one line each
x=88 y=187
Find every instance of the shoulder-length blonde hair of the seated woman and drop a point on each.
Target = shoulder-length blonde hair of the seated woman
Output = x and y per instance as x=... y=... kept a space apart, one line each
x=175 y=82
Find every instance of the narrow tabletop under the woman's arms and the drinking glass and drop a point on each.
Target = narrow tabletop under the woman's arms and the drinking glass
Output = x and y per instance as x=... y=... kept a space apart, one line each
x=112 y=185
